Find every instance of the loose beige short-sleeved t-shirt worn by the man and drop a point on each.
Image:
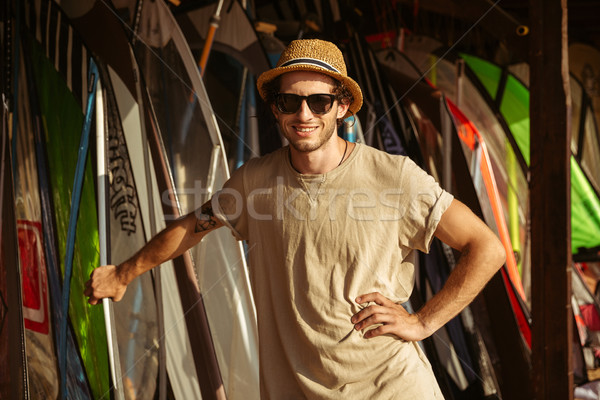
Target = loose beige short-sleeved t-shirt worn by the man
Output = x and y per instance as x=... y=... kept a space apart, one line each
x=316 y=242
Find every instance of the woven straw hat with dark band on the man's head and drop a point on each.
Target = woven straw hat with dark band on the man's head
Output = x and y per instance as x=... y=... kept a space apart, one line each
x=318 y=56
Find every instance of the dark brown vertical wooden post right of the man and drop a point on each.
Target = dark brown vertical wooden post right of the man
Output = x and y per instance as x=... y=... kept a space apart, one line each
x=550 y=189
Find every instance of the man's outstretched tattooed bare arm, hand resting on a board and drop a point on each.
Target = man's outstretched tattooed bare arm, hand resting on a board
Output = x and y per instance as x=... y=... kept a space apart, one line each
x=110 y=281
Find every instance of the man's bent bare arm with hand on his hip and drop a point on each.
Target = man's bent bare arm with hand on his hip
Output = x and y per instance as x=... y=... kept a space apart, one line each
x=482 y=255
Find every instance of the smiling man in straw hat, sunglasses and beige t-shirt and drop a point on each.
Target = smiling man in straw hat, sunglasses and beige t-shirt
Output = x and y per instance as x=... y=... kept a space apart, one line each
x=331 y=229
